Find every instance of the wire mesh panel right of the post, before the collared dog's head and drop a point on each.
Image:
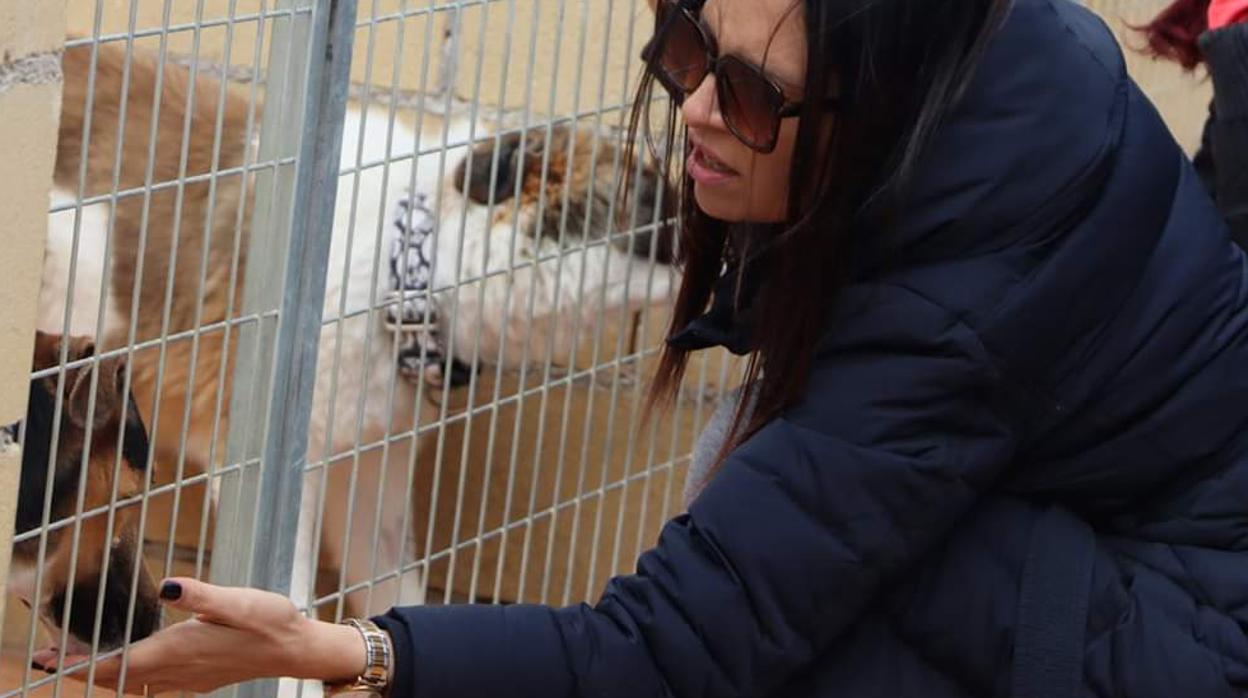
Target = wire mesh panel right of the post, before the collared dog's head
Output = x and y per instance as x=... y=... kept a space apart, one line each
x=490 y=446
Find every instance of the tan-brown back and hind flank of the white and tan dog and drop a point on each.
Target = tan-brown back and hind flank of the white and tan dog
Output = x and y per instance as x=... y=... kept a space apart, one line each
x=174 y=152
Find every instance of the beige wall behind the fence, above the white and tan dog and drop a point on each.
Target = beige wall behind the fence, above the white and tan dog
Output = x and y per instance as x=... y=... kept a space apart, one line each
x=591 y=38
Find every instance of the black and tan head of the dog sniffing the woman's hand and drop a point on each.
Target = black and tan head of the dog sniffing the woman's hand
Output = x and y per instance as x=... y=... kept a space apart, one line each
x=79 y=584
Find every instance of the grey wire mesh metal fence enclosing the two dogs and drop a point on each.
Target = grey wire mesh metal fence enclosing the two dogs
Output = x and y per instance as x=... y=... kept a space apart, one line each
x=380 y=313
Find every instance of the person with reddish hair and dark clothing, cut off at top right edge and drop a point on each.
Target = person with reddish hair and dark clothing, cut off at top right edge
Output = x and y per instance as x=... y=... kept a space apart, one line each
x=1215 y=33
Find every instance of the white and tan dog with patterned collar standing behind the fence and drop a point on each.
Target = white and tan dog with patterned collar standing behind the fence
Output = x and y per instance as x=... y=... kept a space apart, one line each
x=178 y=258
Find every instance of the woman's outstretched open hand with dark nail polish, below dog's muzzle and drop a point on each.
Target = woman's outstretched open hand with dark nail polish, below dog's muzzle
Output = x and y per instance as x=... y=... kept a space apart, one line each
x=235 y=635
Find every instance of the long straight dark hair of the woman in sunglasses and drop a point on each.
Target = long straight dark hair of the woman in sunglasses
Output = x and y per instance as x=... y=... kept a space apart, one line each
x=898 y=68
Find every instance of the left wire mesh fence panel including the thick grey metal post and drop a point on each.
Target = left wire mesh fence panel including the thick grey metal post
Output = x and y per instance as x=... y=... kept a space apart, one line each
x=185 y=269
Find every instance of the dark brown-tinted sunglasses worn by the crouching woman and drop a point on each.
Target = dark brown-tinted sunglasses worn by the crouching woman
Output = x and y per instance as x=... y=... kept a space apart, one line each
x=683 y=53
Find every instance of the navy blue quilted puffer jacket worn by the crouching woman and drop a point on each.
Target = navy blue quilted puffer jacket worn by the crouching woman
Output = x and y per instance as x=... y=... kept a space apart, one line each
x=1021 y=465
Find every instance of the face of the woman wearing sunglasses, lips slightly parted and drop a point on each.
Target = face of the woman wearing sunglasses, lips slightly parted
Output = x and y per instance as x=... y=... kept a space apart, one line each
x=733 y=183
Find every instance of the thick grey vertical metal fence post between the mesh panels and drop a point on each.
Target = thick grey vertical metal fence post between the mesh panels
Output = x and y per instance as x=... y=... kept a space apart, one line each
x=288 y=265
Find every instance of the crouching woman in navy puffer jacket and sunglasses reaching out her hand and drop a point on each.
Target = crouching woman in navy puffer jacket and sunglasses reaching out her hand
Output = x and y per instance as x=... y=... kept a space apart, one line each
x=998 y=443
